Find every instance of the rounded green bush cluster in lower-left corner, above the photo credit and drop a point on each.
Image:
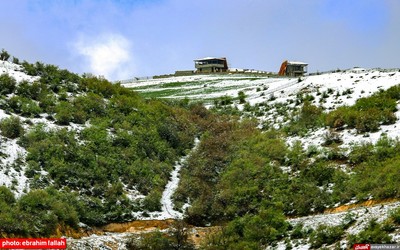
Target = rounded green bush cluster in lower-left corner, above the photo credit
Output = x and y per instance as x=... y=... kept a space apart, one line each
x=38 y=213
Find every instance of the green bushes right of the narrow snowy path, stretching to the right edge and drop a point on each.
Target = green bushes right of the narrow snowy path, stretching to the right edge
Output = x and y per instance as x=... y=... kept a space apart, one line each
x=235 y=174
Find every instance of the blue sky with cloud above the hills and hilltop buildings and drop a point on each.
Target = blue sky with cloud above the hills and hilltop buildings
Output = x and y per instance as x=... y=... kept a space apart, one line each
x=122 y=39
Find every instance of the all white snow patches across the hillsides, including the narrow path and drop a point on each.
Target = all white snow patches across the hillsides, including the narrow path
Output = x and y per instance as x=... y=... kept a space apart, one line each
x=328 y=91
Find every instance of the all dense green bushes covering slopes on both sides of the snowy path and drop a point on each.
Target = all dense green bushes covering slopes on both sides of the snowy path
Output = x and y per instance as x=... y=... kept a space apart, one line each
x=238 y=175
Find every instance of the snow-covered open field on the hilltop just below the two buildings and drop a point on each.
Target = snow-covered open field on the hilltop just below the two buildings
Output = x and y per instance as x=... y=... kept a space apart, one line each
x=259 y=89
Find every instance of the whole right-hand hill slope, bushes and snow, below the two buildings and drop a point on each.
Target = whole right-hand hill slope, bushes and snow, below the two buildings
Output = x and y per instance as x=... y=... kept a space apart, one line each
x=327 y=140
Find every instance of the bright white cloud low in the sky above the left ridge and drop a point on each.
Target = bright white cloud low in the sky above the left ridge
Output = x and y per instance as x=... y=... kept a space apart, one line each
x=108 y=55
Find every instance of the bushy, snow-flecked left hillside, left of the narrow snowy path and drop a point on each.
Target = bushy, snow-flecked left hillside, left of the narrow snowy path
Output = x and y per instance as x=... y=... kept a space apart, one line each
x=90 y=148
